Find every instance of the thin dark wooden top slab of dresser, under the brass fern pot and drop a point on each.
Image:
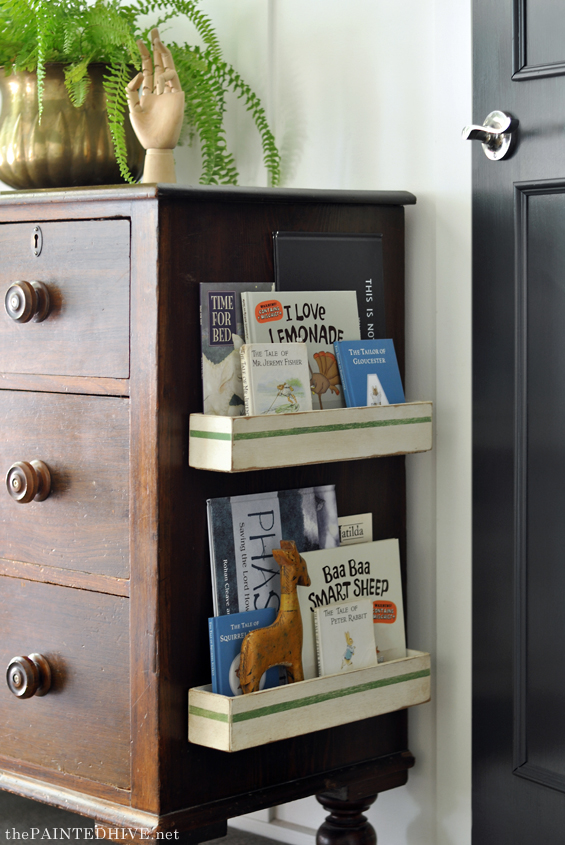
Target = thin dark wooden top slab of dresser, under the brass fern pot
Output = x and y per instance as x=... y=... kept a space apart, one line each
x=207 y=193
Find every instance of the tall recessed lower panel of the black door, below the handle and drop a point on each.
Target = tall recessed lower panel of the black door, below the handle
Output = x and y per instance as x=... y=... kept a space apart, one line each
x=540 y=474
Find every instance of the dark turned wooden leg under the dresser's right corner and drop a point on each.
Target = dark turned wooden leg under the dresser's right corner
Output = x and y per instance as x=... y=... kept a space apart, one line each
x=346 y=824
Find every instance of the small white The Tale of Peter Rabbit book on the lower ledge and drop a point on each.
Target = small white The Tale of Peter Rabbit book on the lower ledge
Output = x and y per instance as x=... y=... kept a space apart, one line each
x=344 y=637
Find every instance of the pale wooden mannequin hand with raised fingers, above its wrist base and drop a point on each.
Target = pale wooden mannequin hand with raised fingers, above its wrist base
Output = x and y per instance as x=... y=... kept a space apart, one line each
x=158 y=115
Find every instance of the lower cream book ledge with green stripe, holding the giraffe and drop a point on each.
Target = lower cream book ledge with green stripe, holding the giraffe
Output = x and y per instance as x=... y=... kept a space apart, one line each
x=244 y=721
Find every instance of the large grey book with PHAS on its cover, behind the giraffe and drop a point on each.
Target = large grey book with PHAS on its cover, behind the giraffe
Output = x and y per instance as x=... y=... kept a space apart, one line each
x=243 y=530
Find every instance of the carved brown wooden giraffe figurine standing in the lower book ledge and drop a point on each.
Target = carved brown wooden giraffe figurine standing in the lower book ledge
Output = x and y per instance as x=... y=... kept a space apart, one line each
x=281 y=643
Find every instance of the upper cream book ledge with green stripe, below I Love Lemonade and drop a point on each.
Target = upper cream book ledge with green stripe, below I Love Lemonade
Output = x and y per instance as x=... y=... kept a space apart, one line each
x=236 y=444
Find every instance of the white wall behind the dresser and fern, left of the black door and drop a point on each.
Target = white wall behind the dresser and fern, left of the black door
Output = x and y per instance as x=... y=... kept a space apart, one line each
x=373 y=94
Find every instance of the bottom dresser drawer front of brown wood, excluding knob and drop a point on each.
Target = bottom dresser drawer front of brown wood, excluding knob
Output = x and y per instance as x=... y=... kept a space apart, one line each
x=81 y=726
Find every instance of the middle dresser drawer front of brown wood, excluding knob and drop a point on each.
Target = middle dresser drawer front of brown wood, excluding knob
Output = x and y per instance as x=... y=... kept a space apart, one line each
x=83 y=441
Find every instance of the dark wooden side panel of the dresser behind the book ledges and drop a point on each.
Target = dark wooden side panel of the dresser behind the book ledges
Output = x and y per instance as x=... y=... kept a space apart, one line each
x=225 y=242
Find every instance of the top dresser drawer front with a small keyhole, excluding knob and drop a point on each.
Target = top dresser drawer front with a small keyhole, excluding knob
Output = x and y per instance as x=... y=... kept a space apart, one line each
x=85 y=266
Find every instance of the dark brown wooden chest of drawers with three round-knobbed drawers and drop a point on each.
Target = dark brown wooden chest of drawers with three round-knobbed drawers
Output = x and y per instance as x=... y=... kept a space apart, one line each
x=108 y=576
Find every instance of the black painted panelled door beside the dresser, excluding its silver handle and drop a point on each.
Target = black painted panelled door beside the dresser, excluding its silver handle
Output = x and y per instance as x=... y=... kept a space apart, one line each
x=519 y=429
